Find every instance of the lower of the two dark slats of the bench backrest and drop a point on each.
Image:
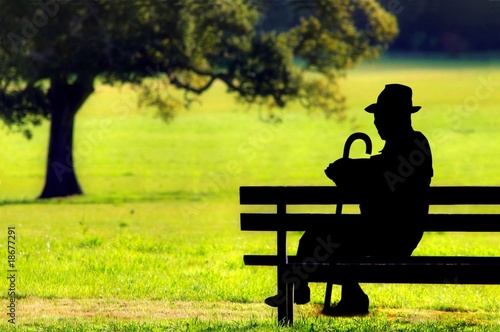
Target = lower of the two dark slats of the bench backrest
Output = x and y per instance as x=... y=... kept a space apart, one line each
x=319 y=221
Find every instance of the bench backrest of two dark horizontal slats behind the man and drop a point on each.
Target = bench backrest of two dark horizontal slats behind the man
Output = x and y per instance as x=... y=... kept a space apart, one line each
x=283 y=196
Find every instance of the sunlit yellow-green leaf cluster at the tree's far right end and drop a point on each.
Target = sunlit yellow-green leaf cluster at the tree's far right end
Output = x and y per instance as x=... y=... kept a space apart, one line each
x=336 y=36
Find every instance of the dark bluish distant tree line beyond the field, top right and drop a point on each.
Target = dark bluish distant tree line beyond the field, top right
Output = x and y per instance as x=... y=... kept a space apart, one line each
x=446 y=26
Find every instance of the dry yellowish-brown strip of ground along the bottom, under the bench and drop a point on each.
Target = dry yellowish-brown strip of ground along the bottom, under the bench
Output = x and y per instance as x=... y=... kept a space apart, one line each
x=38 y=310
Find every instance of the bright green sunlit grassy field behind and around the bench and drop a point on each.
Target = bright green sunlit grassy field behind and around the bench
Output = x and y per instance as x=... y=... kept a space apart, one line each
x=154 y=244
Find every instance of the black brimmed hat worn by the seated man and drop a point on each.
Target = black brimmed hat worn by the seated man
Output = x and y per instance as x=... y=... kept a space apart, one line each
x=394 y=97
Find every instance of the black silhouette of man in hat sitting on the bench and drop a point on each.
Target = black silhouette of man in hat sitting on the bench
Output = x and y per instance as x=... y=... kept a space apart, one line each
x=392 y=187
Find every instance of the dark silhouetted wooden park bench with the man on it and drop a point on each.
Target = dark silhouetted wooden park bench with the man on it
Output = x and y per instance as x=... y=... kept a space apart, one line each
x=415 y=269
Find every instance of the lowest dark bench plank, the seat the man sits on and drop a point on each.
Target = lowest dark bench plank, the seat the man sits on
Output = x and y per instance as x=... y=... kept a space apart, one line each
x=417 y=269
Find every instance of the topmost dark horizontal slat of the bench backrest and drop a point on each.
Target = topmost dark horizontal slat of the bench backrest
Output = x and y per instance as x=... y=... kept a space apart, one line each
x=293 y=195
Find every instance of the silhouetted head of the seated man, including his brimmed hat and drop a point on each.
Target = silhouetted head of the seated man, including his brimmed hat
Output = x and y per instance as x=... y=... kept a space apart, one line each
x=393 y=111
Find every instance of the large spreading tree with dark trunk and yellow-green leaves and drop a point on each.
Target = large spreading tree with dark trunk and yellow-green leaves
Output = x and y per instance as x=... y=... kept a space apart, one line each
x=52 y=52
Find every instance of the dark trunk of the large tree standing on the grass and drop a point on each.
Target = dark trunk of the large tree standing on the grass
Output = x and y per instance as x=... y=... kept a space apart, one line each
x=65 y=100
